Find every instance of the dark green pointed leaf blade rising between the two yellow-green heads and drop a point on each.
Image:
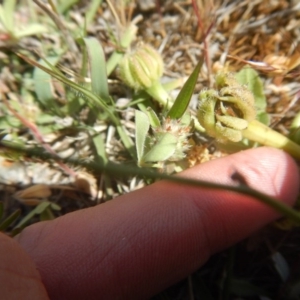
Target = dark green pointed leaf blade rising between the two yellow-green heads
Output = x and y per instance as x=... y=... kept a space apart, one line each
x=183 y=99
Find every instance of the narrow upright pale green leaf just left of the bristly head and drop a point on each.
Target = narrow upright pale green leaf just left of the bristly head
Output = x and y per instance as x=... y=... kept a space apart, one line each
x=142 y=126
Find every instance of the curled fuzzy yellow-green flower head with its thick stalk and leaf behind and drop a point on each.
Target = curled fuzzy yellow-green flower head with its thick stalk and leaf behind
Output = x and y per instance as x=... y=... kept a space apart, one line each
x=218 y=108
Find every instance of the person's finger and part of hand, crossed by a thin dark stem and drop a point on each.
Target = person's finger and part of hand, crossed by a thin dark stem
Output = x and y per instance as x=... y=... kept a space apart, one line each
x=140 y=243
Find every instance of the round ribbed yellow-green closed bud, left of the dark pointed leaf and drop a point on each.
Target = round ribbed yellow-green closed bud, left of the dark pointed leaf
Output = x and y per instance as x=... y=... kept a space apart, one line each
x=142 y=68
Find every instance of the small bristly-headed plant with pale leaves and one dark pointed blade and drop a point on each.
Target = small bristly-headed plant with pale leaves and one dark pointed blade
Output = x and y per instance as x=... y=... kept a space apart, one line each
x=169 y=140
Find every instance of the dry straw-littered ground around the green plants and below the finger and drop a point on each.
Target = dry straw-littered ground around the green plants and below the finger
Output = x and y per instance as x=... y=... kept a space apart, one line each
x=229 y=34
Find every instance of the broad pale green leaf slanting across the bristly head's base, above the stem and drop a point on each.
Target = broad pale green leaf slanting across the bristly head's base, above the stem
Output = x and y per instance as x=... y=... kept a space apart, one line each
x=162 y=150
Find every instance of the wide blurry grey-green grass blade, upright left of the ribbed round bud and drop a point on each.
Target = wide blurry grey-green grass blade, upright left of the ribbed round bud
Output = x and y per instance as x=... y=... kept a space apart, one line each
x=97 y=68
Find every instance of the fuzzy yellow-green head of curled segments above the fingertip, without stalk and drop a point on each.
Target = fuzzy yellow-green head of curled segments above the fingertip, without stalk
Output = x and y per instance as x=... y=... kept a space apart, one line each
x=226 y=113
